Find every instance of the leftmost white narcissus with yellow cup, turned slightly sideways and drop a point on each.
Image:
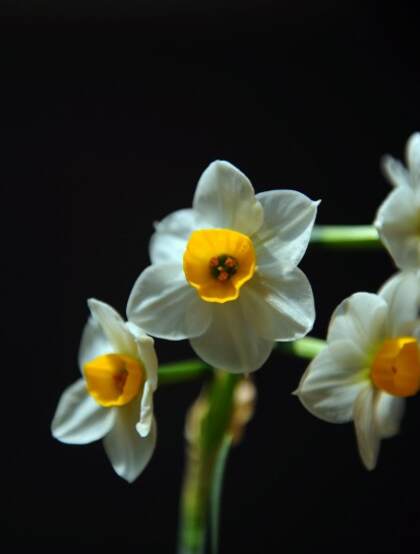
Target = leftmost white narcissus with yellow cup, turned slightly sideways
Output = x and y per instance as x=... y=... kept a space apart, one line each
x=114 y=398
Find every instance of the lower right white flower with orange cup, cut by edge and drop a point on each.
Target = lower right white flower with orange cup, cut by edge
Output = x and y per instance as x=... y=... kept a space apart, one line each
x=370 y=364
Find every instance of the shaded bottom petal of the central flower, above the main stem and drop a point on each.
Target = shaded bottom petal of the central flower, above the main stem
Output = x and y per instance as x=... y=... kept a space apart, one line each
x=230 y=343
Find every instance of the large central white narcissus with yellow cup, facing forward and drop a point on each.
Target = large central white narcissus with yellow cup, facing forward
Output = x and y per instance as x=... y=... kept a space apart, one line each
x=224 y=273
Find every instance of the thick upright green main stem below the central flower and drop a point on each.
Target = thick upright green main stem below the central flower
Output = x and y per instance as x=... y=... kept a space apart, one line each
x=210 y=425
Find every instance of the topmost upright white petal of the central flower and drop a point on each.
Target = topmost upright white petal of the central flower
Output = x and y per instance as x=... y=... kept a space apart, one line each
x=225 y=198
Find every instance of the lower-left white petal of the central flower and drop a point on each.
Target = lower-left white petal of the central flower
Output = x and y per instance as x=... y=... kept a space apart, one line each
x=165 y=305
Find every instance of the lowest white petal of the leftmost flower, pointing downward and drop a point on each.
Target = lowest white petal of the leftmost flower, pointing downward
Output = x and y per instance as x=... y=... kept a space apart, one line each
x=127 y=451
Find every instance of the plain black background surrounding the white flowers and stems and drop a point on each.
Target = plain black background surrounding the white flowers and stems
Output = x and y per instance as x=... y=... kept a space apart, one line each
x=110 y=113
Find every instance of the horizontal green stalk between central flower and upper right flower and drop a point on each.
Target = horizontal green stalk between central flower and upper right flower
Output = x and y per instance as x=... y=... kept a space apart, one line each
x=345 y=236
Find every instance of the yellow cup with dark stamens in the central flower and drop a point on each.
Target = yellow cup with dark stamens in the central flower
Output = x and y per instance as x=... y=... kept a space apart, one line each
x=217 y=262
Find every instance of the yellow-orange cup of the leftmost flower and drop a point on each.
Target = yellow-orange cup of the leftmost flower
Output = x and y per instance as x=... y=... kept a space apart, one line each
x=114 y=379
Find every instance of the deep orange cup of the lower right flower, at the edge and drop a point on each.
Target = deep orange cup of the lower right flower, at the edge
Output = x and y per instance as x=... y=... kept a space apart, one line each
x=396 y=367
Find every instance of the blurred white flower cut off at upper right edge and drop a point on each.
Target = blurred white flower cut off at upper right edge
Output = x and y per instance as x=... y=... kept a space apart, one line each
x=398 y=218
